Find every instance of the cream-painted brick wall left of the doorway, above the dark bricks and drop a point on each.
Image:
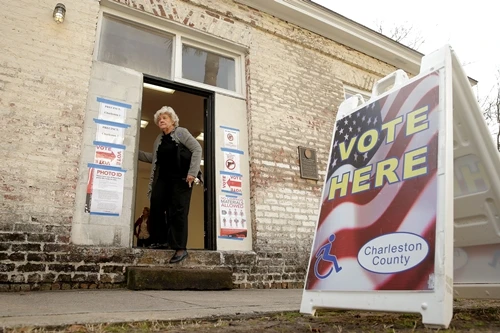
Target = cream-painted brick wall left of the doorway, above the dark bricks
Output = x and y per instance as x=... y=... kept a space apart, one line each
x=44 y=75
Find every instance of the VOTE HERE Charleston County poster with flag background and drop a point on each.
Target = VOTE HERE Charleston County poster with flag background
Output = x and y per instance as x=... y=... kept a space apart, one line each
x=377 y=223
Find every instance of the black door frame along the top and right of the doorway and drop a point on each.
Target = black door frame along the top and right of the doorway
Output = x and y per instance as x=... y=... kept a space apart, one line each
x=210 y=216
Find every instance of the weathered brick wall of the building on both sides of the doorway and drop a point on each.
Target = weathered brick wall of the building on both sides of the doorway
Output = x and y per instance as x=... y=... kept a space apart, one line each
x=294 y=80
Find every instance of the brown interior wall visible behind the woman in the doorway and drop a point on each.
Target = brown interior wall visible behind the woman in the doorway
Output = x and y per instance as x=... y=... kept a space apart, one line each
x=189 y=108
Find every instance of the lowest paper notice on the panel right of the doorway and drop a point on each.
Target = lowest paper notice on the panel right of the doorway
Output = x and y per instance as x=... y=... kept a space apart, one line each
x=233 y=220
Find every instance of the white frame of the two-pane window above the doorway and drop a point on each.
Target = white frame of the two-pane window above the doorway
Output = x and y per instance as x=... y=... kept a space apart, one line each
x=193 y=38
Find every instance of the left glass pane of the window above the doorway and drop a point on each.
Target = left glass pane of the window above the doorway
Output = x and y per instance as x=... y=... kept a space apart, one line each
x=143 y=50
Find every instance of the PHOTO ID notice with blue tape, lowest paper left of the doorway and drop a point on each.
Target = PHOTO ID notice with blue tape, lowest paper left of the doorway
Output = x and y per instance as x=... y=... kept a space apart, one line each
x=105 y=191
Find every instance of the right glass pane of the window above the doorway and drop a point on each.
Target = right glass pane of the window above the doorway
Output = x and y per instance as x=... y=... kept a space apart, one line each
x=209 y=68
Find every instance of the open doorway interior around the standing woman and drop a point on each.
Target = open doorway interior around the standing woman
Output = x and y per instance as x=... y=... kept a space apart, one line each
x=192 y=111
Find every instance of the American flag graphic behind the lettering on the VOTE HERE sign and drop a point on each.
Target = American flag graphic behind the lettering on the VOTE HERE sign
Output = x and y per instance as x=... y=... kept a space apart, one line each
x=407 y=206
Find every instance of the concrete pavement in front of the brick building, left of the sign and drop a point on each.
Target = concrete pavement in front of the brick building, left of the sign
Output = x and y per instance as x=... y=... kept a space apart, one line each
x=67 y=307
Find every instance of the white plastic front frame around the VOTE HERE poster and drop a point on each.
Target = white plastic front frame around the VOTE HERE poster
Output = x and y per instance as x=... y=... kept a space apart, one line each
x=435 y=306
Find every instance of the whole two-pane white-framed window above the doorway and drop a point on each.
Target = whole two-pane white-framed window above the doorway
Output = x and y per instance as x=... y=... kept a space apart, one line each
x=171 y=55
